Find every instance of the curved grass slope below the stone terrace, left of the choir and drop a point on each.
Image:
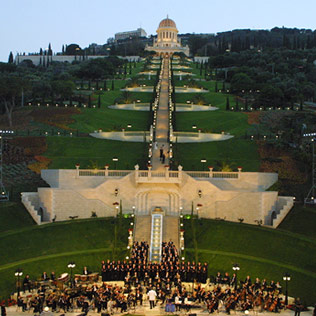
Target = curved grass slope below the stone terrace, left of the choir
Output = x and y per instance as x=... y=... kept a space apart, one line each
x=50 y=247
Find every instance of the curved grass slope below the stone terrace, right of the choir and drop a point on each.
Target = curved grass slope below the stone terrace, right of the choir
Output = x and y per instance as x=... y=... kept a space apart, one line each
x=262 y=252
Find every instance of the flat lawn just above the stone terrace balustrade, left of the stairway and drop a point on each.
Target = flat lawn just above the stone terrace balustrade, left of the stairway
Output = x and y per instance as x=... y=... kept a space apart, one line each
x=93 y=153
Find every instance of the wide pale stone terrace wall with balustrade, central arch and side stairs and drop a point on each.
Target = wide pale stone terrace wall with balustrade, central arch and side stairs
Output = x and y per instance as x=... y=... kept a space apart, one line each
x=231 y=196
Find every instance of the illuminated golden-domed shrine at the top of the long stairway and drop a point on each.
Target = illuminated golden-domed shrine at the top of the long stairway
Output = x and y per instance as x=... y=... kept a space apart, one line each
x=167 y=41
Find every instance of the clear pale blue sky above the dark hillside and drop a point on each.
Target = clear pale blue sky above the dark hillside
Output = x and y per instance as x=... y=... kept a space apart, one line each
x=28 y=25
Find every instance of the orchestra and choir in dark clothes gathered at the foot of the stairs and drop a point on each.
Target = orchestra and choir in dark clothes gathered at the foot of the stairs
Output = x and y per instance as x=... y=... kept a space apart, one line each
x=160 y=283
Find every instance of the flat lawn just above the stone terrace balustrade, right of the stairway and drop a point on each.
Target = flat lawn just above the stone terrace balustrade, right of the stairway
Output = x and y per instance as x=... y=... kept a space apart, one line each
x=234 y=152
